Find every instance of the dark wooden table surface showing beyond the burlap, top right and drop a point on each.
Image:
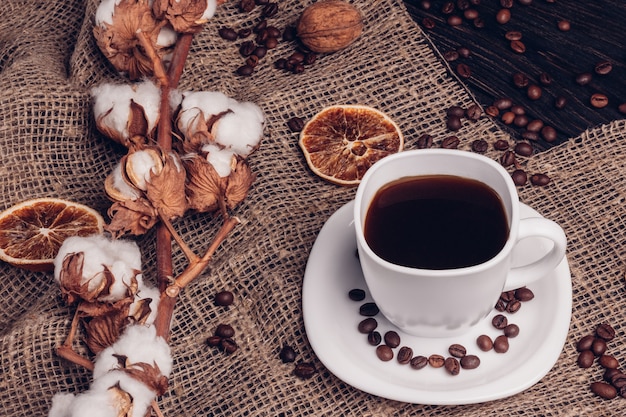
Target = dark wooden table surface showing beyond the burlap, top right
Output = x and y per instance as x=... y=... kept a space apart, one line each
x=598 y=33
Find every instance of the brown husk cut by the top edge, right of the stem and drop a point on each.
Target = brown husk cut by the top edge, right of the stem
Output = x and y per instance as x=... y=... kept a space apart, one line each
x=185 y=16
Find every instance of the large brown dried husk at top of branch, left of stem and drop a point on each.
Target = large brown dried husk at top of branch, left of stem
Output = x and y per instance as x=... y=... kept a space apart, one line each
x=118 y=41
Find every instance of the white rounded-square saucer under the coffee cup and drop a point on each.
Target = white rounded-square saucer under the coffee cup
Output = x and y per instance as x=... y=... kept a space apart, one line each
x=331 y=320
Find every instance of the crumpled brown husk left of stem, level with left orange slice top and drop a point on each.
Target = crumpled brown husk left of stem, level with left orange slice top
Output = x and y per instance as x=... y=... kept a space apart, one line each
x=133 y=217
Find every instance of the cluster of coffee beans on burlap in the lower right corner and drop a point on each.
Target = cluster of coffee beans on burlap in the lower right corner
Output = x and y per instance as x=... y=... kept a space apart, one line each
x=593 y=348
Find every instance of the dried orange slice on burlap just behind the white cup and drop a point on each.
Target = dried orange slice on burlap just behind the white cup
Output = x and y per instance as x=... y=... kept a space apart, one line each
x=341 y=142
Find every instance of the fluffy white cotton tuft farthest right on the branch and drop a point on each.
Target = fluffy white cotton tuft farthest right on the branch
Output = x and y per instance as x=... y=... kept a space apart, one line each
x=242 y=129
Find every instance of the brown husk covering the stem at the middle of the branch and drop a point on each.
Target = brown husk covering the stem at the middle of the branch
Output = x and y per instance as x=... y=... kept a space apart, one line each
x=166 y=188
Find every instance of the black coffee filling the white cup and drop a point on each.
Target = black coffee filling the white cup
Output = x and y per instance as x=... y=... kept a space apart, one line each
x=436 y=222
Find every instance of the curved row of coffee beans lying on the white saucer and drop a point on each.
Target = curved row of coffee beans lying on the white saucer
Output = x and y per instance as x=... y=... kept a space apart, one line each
x=457 y=357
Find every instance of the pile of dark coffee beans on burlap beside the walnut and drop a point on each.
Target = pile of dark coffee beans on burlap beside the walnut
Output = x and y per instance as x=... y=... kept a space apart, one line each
x=259 y=36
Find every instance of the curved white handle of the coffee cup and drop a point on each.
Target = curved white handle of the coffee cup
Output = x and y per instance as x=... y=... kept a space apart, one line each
x=538 y=227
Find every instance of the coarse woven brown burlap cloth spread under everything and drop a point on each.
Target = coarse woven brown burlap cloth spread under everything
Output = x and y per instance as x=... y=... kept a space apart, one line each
x=50 y=147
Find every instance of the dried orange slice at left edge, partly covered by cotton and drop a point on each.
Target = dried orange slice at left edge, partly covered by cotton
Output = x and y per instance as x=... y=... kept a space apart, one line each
x=32 y=232
